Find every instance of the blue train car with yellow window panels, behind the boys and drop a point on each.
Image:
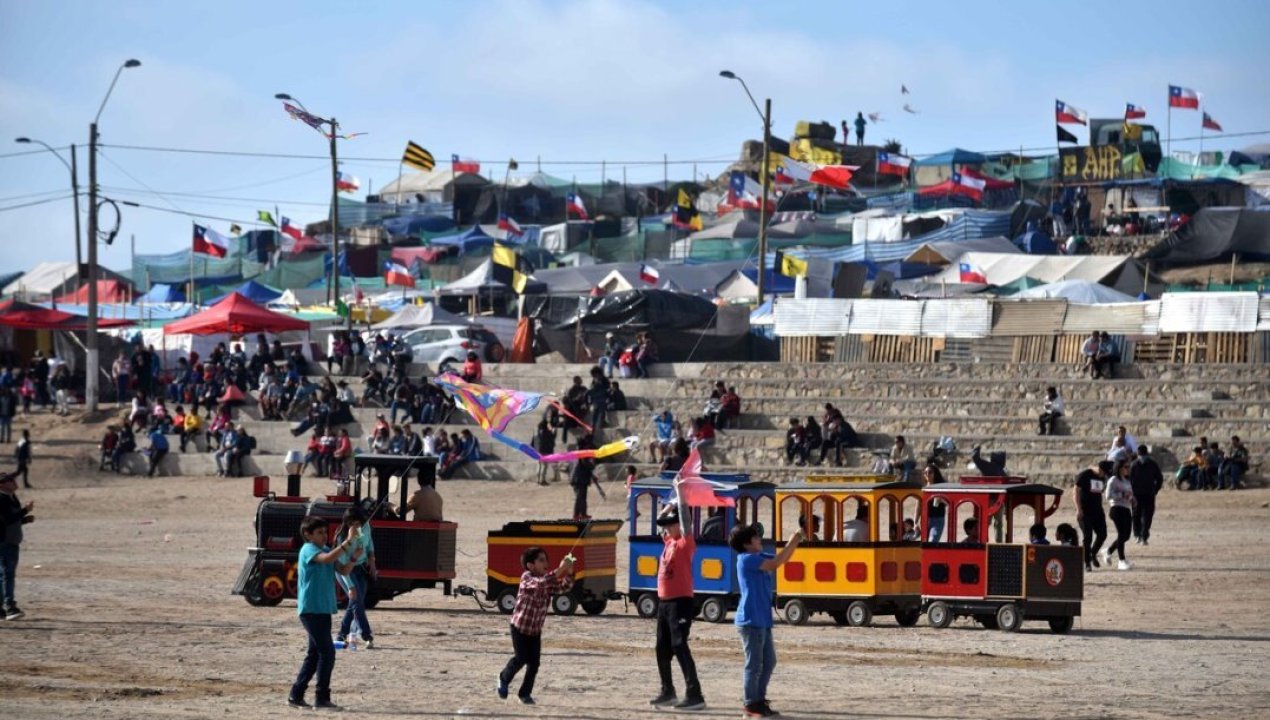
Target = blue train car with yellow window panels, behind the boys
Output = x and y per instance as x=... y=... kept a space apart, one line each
x=714 y=564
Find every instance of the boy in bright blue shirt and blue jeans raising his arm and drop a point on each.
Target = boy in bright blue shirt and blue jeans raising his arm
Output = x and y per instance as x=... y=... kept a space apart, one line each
x=755 y=613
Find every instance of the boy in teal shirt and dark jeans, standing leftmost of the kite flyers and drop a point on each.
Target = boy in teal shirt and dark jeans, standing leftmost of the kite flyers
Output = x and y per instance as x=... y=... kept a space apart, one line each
x=316 y=604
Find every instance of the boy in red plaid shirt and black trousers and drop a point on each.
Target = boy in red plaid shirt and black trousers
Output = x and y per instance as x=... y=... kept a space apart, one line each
x=538 y=586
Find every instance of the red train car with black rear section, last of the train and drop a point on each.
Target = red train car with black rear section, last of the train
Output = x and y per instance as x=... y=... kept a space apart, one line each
x=982 y=566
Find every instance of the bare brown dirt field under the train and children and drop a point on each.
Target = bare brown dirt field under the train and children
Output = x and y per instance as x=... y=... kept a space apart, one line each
x=126 y=586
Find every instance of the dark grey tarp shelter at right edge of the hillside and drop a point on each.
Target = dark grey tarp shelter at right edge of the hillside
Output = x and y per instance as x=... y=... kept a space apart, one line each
x=1215 y=234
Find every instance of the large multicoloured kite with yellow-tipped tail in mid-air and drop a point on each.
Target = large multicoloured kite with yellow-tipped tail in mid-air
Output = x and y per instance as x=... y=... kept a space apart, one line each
x=495 y=410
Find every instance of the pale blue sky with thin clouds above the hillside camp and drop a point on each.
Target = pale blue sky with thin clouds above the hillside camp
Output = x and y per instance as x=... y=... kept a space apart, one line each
x=567 y=84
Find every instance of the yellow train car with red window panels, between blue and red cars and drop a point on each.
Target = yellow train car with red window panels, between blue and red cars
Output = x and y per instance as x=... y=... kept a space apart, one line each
x=862 y=553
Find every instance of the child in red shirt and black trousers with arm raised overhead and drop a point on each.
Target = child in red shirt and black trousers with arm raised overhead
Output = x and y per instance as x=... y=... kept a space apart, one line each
x=676 y=608
